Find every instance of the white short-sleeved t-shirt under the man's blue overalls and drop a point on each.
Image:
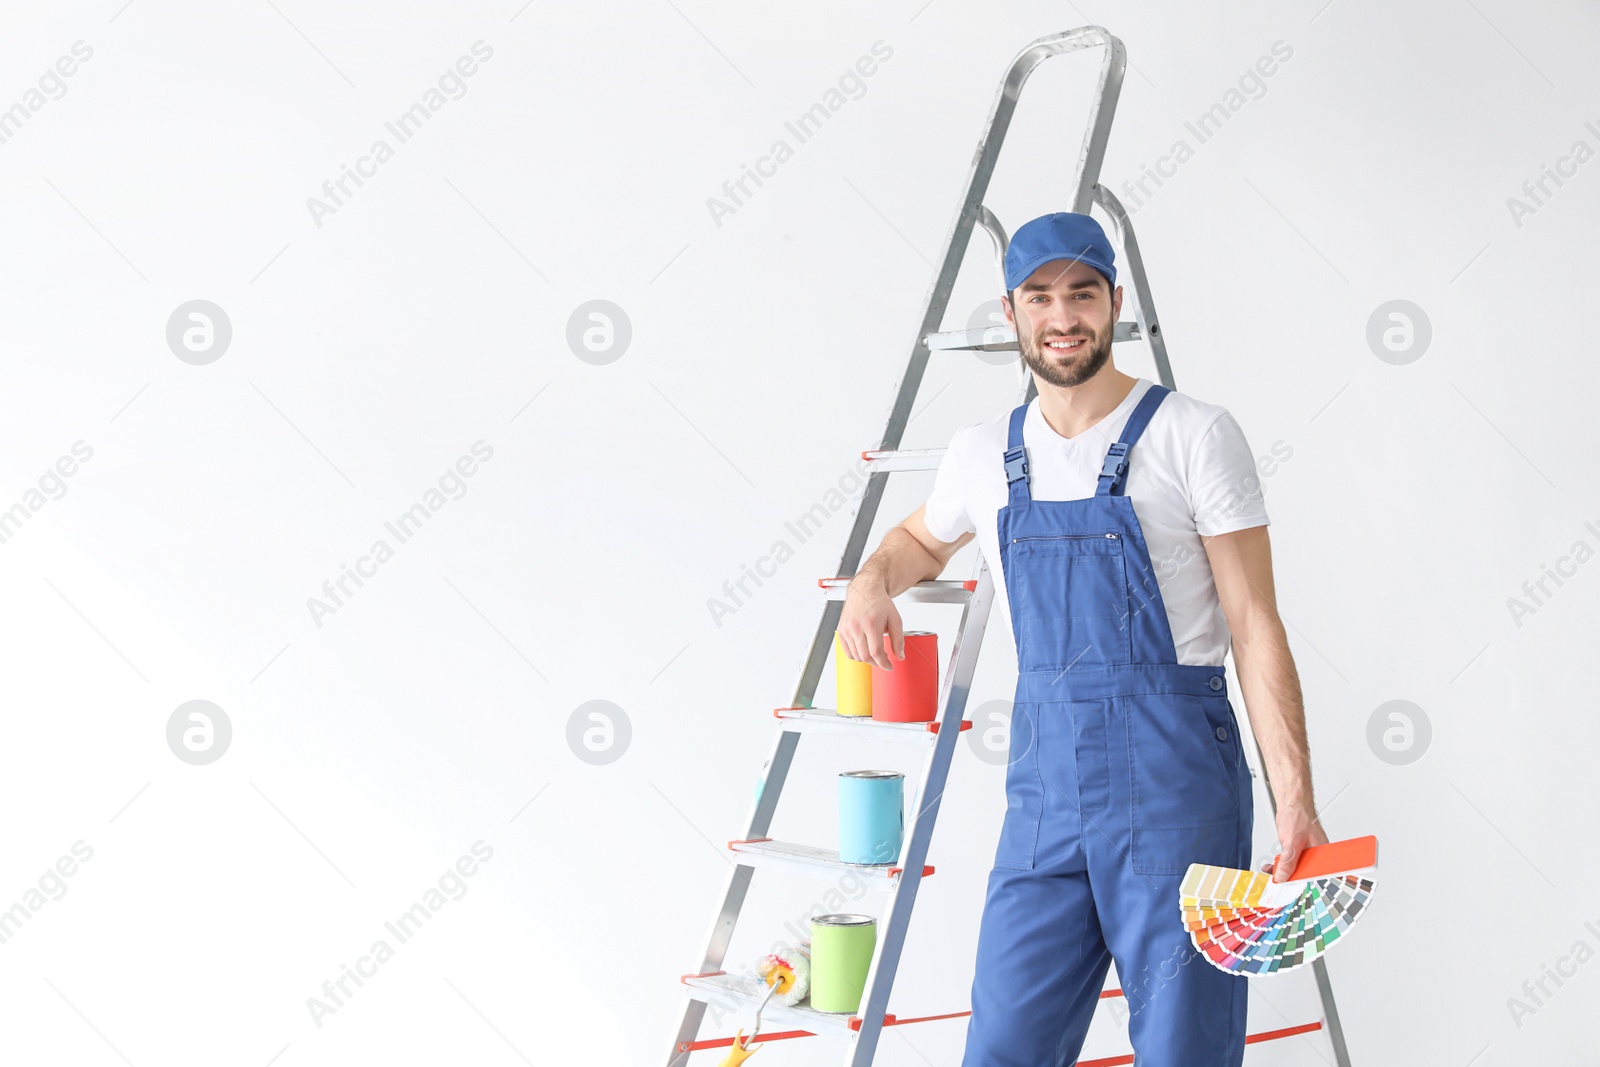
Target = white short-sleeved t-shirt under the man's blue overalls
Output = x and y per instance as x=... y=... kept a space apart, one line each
x=1191 y=474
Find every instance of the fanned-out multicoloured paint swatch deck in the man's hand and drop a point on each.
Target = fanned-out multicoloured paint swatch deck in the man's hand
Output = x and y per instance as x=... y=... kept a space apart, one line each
x=1246 y=924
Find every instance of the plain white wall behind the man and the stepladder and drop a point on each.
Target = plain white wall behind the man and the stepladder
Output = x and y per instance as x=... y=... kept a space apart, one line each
x=433 y=709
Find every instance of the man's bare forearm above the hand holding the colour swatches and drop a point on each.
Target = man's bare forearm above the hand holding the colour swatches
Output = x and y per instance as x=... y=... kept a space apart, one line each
x=1276 y=708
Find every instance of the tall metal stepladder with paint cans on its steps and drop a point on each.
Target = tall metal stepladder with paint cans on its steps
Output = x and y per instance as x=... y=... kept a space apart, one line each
x=860 y=1033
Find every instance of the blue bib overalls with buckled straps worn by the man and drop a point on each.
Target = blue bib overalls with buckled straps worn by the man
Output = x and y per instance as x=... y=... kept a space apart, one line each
x=1126 y=769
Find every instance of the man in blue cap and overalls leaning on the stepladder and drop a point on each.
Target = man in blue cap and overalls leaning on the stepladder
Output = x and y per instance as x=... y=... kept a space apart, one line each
x=1129 y=529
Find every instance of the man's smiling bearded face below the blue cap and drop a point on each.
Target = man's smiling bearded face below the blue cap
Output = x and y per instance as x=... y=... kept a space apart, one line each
x=1065 y=314
